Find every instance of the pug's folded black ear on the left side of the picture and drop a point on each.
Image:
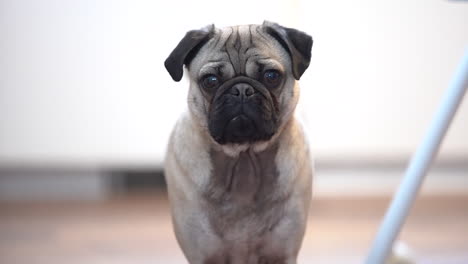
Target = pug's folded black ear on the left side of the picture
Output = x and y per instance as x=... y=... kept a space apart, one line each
x=186 y=51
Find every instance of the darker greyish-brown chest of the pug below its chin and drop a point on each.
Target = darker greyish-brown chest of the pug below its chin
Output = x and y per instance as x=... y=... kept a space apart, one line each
x=242 y=199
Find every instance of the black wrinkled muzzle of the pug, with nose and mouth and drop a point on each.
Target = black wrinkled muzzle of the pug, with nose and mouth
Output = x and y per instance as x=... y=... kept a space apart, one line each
x=242 y=111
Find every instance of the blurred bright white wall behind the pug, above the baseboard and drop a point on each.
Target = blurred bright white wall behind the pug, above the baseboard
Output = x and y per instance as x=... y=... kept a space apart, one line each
x=83 y=82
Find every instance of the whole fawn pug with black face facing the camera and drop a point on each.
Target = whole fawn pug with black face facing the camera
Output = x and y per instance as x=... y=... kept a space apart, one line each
x=238 y=167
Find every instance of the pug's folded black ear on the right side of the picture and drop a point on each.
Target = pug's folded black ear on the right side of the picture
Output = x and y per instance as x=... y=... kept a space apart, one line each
x=297 y=43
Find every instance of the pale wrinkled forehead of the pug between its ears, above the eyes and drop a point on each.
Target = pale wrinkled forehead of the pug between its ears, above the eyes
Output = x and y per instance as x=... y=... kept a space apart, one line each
x=240 y=50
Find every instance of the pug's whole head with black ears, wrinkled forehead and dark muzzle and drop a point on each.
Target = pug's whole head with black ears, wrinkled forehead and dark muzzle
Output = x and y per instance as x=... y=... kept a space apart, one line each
x=242 y=74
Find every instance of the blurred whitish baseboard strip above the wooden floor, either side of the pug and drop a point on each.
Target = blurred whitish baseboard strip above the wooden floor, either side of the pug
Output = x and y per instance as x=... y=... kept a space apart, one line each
x=329 y=181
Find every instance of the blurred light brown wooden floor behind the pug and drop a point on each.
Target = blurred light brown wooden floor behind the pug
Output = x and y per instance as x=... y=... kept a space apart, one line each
x=137 y=230
